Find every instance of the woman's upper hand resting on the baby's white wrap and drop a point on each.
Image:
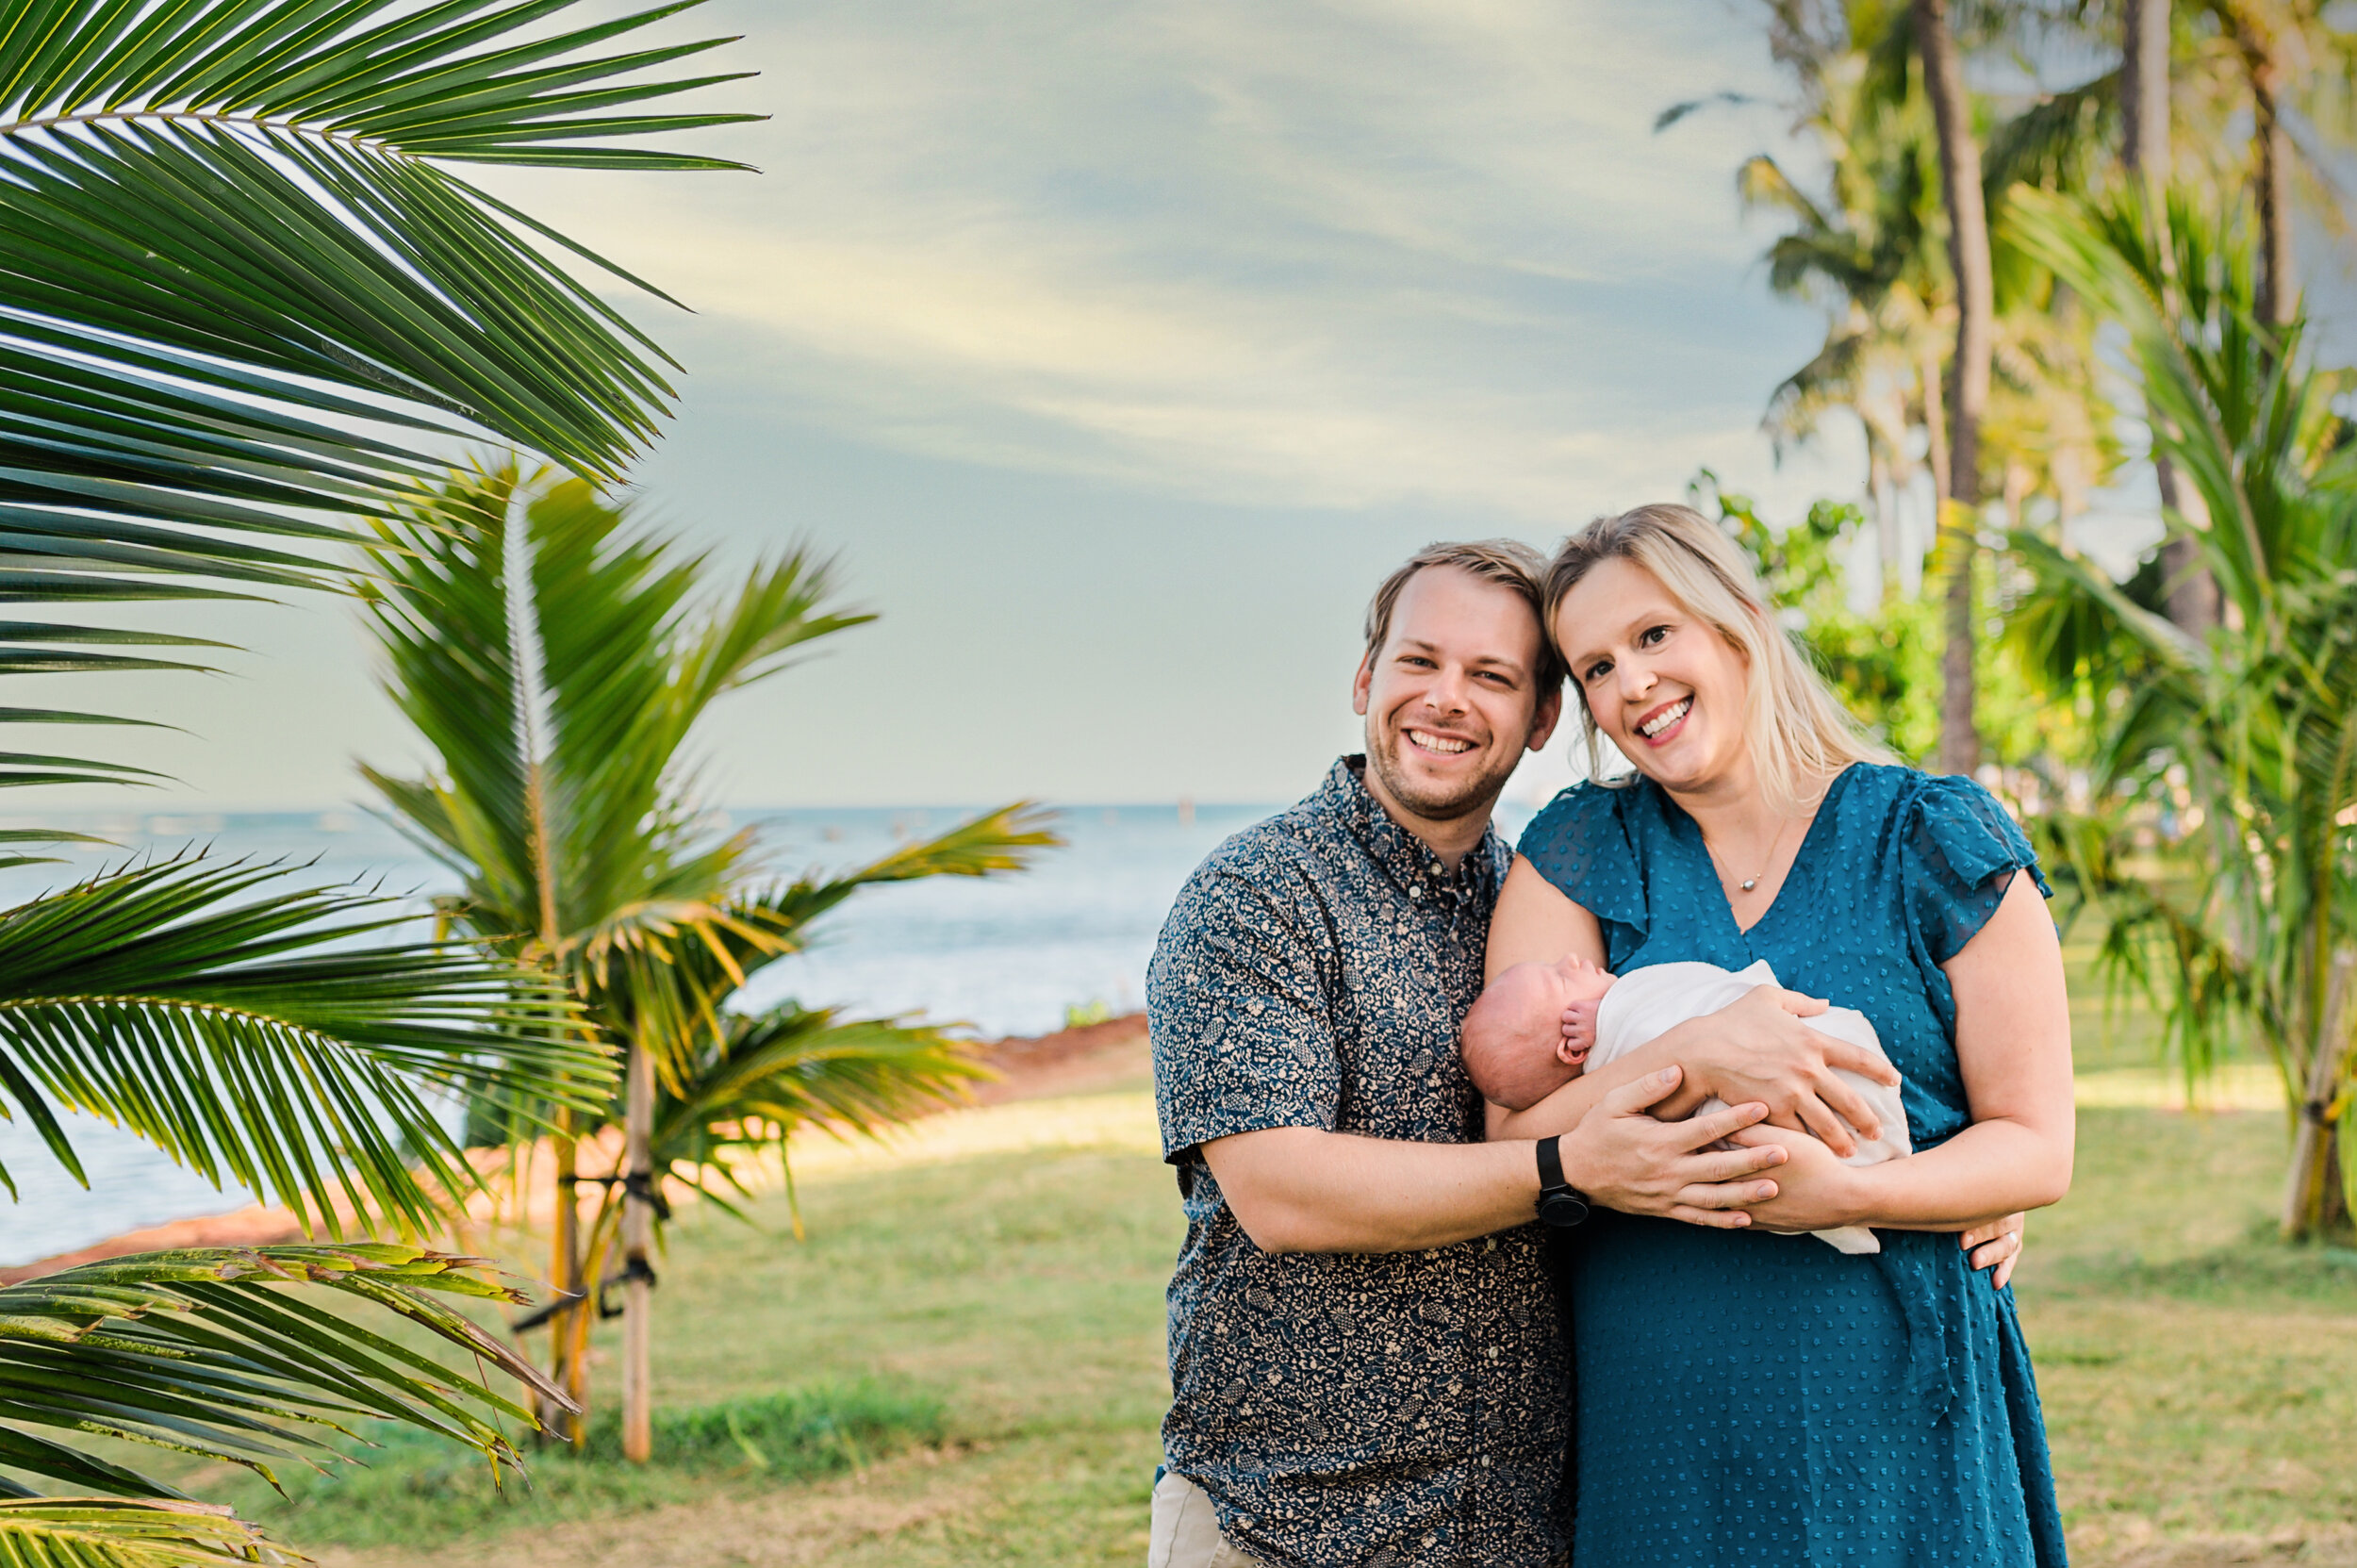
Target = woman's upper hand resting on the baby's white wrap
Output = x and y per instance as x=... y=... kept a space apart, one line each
x=1760 y=1050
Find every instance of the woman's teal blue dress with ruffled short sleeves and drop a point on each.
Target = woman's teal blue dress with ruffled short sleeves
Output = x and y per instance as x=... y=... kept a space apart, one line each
x=1764 y=1402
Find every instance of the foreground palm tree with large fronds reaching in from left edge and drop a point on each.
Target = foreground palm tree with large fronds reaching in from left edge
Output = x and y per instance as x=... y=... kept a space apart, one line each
x=244 y=301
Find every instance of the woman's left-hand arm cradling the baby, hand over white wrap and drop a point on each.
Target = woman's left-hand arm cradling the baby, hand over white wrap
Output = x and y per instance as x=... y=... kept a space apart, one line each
x=1755 y=1050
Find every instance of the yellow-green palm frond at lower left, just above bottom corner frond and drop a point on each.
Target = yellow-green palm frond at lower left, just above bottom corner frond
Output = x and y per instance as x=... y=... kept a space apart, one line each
x=223 y=1357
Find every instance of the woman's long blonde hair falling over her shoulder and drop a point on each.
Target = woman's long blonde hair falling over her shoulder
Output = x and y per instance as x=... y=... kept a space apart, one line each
x=1797 y=727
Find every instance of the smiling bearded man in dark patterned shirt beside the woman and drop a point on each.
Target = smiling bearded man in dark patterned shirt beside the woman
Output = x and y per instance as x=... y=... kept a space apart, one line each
x=1366 y=1357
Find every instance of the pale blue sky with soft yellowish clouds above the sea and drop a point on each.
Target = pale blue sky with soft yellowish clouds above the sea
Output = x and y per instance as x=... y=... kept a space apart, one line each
x=1116 y=353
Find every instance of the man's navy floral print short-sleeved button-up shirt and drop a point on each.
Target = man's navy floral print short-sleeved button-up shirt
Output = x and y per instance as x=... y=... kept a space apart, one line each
x=1347 y=1409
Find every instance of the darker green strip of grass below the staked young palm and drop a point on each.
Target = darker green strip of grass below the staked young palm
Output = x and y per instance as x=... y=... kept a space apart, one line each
x=421 y=1491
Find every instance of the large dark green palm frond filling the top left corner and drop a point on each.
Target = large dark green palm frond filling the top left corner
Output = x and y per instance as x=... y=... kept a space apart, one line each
x=244 y=296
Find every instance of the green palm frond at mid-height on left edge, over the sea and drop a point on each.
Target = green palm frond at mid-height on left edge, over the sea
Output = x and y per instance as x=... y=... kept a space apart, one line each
x=253 y=1041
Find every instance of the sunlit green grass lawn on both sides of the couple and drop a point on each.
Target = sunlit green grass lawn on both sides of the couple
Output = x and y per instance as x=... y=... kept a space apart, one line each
x=1010 y=1307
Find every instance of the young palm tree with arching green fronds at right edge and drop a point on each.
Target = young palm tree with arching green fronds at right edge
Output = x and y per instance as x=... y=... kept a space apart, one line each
x=2257 y=930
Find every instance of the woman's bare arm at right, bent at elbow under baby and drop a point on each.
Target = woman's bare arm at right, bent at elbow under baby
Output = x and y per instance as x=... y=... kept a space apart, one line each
x=2014 y=1053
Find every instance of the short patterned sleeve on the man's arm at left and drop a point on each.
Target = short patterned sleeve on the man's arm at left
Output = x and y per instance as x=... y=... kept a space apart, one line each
x=1241 y=1020
